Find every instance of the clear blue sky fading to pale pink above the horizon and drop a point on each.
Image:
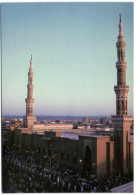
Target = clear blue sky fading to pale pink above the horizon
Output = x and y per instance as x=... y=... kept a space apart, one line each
x=73 y=47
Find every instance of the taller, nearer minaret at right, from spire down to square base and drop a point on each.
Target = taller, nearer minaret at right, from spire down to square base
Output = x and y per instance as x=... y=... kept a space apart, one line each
x=121 y=120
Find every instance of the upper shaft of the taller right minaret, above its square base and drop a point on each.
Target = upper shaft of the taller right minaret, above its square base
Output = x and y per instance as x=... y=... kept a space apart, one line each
x=121 y=89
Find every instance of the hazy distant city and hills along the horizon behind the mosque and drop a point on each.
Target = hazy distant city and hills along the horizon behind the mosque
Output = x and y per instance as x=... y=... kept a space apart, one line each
x=77 y=121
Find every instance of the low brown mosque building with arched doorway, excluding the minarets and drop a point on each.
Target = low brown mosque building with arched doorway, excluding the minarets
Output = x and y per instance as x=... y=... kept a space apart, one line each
x=80 y=152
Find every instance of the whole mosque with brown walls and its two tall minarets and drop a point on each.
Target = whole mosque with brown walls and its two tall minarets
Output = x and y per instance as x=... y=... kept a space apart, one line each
x=100 y=155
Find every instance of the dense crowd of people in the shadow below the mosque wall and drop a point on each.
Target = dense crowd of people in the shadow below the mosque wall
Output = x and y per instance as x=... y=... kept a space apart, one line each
x=29 y=172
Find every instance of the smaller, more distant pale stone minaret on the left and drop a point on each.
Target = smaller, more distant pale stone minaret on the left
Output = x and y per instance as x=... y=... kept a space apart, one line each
x=29 y=118
